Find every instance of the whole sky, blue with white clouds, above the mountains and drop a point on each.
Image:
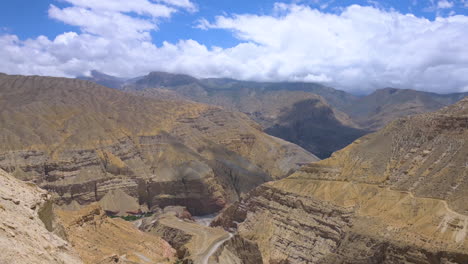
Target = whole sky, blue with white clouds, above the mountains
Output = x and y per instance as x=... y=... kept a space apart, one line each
x=357 y=46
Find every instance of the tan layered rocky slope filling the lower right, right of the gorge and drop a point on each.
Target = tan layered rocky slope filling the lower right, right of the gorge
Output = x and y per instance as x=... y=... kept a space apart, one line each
x=395 y=196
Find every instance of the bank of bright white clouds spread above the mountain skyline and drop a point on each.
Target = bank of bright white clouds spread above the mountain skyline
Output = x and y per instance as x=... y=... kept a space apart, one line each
x=358 y=49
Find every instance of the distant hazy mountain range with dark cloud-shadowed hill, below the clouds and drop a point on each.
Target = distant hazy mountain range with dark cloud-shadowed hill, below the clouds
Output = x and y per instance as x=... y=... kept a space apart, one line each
x=308 y=114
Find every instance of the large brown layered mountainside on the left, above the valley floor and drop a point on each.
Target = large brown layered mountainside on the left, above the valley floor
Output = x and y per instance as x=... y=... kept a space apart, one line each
x=82 y=141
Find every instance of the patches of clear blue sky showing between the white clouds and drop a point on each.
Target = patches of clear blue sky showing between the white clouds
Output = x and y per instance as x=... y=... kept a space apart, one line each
x=29 y=18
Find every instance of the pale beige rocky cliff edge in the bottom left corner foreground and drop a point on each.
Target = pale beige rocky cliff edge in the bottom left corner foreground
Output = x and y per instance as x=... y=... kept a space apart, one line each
x=24 y=219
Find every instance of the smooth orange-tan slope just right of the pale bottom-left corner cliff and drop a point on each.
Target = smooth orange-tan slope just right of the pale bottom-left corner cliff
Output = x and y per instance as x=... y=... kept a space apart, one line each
x=100 y=239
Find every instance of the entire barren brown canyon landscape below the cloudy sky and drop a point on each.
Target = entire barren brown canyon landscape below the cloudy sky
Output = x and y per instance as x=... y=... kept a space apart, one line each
x=138 y=174
